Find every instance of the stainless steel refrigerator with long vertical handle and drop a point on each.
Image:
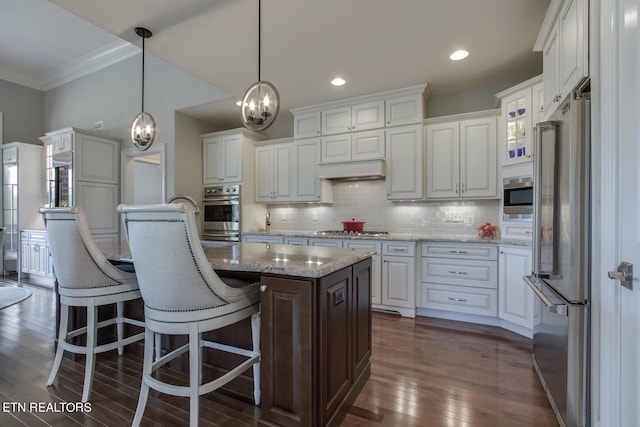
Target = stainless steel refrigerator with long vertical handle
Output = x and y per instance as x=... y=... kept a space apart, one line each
x=561 y=252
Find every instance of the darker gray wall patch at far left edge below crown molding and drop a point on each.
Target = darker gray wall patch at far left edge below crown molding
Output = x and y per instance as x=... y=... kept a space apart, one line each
x=23 y=113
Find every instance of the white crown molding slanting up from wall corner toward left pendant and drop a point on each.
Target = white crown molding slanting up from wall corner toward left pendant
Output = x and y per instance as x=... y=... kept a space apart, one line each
x=90 y=63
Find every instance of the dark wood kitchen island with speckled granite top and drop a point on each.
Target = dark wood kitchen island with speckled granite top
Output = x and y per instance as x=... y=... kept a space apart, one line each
x=316 y=326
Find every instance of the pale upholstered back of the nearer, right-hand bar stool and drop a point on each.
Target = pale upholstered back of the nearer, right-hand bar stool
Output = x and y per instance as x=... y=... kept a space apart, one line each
x=188 y=283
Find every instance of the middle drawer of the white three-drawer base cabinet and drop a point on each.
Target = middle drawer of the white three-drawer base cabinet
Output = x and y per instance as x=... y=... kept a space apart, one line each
x=472 y=273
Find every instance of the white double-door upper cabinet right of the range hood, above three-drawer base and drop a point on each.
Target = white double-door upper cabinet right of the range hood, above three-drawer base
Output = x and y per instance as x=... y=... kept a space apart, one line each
x=461 y=158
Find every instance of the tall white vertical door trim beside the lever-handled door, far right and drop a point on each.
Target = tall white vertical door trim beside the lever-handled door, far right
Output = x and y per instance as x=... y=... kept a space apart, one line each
x=605 y=227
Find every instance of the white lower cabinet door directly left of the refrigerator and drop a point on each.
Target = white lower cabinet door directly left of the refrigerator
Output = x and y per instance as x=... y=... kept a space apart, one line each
x=517 y=304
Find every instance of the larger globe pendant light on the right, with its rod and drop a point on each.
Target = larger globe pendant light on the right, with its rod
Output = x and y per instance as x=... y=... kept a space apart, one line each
x=261 y=102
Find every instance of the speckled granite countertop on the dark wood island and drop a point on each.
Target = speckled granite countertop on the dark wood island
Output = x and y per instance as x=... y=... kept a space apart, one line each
x=299 y=261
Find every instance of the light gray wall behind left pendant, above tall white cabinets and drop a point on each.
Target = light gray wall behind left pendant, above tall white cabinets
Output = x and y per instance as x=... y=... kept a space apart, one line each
x=113 y=95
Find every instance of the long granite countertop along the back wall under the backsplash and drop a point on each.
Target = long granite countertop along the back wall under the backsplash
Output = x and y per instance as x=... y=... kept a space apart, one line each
x=399 y=237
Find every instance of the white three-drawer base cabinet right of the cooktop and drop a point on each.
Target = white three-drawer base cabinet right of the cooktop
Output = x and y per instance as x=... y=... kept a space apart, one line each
x=460 y=278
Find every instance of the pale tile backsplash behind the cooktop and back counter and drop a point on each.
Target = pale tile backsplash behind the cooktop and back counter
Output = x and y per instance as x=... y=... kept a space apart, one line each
x=366 y=201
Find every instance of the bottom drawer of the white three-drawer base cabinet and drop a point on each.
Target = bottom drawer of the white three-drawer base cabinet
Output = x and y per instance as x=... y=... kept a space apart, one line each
x=461 y=299
